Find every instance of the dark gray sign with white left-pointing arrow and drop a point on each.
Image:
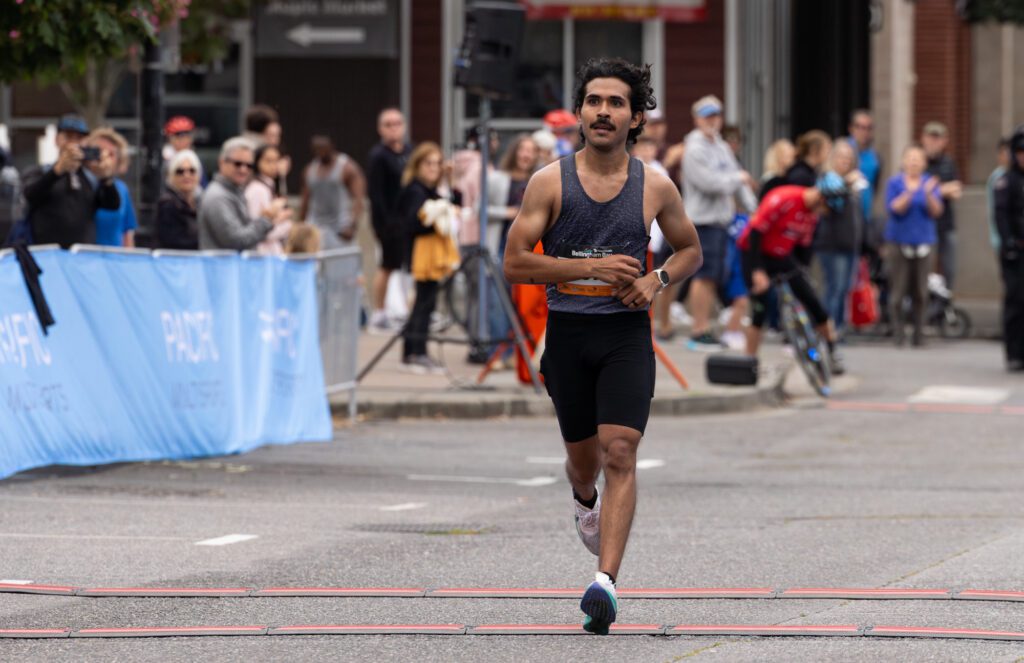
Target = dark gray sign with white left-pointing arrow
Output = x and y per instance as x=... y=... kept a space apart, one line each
x=327 y=28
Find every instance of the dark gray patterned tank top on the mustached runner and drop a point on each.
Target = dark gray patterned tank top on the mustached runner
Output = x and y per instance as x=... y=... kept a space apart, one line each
x=586 y=229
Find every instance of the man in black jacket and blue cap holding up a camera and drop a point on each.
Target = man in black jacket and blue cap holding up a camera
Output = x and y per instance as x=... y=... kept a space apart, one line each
x=64 y=199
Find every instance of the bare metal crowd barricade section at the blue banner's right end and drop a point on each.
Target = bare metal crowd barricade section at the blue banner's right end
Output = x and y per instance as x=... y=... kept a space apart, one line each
x=340 y=296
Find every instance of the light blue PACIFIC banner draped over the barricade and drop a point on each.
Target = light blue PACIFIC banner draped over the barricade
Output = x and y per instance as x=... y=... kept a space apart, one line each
x=158 y=358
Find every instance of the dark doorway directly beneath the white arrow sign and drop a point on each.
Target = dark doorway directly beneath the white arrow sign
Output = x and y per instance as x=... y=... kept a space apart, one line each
x=332 y=97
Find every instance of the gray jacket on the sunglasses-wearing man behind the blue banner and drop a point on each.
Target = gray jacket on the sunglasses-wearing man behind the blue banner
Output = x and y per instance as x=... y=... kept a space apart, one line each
x=224 y=219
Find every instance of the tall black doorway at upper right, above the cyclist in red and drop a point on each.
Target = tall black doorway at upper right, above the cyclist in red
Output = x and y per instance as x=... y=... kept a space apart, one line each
x=831 y=64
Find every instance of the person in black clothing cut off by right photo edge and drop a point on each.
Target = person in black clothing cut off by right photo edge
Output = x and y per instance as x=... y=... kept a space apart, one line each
x=1010 y=222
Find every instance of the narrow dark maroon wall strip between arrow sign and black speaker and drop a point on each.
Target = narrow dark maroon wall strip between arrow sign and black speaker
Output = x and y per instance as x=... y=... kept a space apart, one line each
x=426 y=70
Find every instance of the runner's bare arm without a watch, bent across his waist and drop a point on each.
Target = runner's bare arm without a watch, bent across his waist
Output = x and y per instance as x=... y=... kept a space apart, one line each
x=537 y=216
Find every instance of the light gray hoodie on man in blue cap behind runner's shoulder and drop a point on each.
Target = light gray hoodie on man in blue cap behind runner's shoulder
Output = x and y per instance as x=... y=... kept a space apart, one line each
x=711 y=181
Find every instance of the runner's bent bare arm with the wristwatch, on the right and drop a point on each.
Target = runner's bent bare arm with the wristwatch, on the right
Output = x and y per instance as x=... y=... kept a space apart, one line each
x=680 y=235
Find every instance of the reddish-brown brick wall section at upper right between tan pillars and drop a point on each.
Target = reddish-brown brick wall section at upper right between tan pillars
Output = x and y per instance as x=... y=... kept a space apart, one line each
x=943 y=63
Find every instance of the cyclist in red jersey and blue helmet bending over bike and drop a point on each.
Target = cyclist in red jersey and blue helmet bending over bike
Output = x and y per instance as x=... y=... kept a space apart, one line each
x=781 y=230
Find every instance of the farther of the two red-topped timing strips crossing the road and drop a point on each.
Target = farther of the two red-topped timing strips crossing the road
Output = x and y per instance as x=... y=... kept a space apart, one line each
x=679 y=594
